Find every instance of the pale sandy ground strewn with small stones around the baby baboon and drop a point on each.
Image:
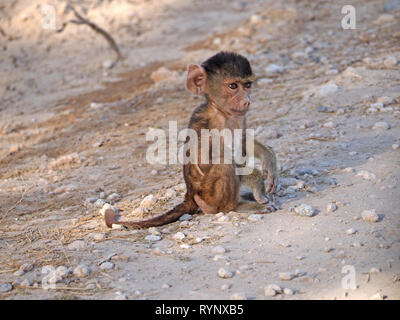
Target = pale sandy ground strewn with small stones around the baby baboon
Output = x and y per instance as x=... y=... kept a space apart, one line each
x=72 y=128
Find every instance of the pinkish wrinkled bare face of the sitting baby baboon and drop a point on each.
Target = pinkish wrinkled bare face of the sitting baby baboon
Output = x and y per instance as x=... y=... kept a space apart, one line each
x=232 y=94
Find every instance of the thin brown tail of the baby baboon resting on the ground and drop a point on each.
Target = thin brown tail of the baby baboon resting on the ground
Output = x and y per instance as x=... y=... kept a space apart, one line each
x=187 y=206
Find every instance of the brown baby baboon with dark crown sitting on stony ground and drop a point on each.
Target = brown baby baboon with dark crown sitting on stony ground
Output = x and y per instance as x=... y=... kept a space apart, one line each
x=225 y=81
